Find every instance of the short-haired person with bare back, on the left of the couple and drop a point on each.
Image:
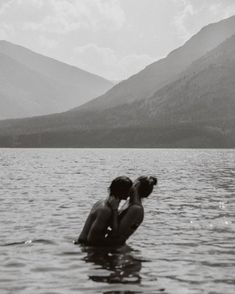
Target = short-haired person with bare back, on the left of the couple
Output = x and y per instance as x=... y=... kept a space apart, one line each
x=103 y=214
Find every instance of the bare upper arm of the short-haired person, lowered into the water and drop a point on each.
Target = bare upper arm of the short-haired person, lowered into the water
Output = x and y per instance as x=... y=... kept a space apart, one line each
x=96 y=235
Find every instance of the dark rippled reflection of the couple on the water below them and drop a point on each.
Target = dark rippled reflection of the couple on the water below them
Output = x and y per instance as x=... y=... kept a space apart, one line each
x=113 y=265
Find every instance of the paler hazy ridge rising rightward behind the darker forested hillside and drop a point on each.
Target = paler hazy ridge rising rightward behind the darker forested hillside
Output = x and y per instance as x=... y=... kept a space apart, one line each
x=155 y=76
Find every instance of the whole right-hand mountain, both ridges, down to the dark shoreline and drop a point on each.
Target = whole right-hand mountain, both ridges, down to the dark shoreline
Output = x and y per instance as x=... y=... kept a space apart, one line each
x=191 y=105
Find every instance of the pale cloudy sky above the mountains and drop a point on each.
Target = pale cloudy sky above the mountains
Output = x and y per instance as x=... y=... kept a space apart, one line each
x=112 y=38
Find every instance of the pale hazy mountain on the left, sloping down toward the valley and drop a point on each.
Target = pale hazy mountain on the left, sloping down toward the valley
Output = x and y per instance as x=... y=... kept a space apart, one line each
x=32 y=84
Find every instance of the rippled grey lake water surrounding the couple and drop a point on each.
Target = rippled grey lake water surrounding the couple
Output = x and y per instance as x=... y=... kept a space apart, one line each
x=186 y=243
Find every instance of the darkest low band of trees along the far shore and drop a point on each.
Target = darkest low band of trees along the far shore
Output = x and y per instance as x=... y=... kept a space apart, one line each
x=181 y=136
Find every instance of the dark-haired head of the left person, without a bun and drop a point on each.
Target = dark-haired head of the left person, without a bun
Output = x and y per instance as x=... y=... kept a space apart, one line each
x=120 y=187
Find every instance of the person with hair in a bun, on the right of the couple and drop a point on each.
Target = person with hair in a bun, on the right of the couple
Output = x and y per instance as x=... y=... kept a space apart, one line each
x=129 y=218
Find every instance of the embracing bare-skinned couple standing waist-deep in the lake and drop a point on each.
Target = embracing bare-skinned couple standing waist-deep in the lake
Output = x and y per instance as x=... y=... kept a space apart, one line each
x=107 y=225
